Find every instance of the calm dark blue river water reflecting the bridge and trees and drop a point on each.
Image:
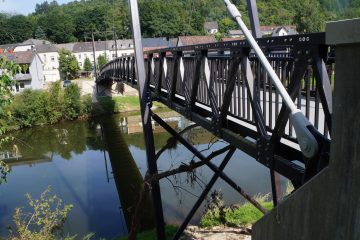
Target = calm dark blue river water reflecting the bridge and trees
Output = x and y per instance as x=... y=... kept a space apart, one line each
x=98 y=166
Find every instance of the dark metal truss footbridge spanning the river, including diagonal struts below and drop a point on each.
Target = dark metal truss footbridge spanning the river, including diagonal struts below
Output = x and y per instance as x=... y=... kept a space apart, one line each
x=223 y=88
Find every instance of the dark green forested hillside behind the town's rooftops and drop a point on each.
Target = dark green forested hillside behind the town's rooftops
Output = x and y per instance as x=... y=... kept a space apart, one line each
x=169 y=18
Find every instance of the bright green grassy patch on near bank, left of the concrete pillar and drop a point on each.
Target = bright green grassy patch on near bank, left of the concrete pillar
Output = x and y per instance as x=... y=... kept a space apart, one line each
x=235 y=216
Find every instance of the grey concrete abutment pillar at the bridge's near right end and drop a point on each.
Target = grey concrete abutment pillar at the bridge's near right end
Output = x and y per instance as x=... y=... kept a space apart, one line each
x=328 y=206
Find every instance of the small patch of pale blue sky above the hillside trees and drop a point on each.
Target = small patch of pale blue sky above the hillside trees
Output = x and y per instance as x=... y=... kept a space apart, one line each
x=22 y=6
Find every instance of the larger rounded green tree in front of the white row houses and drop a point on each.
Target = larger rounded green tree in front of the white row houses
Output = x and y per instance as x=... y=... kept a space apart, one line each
x=68 y=65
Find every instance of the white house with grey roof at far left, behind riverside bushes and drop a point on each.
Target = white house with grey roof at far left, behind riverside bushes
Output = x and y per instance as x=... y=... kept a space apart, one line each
x=32 y=75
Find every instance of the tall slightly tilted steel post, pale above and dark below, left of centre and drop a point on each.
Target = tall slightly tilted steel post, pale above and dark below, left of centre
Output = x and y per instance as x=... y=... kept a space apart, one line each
x=145 y=104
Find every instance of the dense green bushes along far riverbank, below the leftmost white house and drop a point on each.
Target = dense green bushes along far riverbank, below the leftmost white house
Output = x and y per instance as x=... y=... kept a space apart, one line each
x=40 y=107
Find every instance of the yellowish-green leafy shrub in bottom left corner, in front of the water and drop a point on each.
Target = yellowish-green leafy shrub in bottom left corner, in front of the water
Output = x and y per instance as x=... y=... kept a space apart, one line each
x=44 y=221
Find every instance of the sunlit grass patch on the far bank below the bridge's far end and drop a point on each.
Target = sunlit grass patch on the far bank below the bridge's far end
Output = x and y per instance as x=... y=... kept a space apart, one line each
x=121 y=104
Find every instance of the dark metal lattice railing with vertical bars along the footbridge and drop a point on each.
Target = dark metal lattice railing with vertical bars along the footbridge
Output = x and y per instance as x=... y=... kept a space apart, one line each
x=215 y=78
